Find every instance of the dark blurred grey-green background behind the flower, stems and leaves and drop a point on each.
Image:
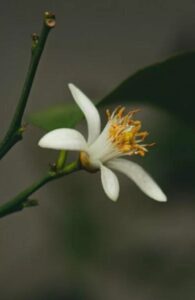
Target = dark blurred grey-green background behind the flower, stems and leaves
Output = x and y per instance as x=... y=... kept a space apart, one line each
x=78 y=244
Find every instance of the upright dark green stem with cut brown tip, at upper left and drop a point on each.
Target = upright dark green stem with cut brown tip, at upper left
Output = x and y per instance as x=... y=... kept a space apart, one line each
x=15 y=130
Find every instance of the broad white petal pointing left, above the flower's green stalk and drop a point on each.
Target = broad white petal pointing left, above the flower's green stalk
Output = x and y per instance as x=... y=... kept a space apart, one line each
x=63 y=139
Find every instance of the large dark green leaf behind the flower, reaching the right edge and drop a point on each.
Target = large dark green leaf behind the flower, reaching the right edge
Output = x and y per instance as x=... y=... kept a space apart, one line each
x=169 y=85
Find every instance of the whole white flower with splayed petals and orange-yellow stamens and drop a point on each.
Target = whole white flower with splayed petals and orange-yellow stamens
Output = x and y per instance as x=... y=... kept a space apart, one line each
x=103 y=150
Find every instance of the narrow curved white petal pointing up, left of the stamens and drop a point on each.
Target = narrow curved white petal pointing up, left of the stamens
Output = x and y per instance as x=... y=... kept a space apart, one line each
x=90 y=112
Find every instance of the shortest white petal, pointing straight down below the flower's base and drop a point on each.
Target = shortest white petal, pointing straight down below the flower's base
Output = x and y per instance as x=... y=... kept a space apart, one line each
x=110 y=183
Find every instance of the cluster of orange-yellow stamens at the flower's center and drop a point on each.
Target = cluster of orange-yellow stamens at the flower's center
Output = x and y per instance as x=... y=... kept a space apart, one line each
x=125 y=133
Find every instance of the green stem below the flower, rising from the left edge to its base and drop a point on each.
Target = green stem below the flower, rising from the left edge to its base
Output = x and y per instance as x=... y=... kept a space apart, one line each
x=19 y=201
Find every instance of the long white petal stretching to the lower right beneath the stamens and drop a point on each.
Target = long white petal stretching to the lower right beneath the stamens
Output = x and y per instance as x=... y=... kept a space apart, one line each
x=140 y=177
